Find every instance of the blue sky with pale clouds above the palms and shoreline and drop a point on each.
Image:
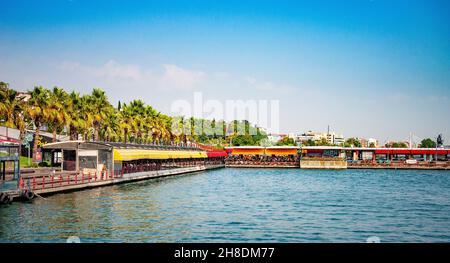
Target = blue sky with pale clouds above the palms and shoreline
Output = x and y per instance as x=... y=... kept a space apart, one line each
x=367 y=68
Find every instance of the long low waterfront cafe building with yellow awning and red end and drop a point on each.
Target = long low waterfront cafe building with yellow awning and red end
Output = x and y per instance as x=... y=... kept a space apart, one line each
x=118 y=158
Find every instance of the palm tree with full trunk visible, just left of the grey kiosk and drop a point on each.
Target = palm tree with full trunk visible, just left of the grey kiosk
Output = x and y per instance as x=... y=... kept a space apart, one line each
x=38 y=111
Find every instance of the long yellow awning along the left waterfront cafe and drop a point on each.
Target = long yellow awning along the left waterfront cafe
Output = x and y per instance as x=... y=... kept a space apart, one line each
x=139 y=154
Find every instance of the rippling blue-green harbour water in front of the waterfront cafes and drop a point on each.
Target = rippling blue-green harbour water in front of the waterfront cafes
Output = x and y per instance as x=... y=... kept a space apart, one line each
x=245 y=205
